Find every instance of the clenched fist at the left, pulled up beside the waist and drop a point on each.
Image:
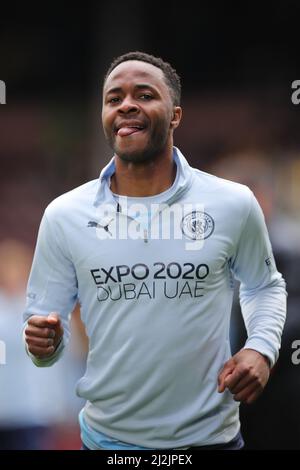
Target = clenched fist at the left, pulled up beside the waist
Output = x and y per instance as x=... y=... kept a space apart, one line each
x=43 y=334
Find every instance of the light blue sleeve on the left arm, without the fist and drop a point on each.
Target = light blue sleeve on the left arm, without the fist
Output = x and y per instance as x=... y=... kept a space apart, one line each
x=52 y=284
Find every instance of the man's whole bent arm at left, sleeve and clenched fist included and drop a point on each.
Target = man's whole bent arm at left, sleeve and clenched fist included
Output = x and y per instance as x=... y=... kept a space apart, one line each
x=52 y=287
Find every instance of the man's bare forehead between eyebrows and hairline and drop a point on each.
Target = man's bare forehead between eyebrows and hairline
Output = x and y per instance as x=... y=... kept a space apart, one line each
x=133 y=72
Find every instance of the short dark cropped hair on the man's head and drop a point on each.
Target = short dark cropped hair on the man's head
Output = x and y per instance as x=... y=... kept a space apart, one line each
x=171 y=77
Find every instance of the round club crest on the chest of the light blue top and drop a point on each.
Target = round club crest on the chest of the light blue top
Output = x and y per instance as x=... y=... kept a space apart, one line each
x=197 y=225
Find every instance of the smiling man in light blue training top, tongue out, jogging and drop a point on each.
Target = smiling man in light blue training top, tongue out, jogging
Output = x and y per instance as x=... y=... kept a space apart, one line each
x=149 y=251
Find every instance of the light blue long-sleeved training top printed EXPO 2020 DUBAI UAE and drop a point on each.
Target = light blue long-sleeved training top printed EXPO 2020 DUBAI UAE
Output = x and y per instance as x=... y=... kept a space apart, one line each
x=156 y=302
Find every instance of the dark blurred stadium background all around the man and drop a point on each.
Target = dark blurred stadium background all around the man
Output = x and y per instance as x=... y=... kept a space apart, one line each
x=237 y=62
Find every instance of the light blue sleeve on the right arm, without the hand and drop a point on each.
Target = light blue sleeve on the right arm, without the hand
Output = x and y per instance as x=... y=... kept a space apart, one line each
x=262 y=289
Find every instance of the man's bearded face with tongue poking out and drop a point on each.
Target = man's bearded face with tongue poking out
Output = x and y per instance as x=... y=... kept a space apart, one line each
x=138 y=114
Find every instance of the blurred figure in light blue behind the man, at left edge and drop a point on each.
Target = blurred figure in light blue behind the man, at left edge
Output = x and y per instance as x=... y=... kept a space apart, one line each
x=38 y=406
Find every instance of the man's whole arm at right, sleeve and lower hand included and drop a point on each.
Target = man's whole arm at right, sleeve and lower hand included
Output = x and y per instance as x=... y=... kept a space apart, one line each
x=263 y=304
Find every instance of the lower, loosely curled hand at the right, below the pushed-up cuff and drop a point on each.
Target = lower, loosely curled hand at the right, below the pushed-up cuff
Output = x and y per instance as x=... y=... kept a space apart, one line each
x=245 y=375
